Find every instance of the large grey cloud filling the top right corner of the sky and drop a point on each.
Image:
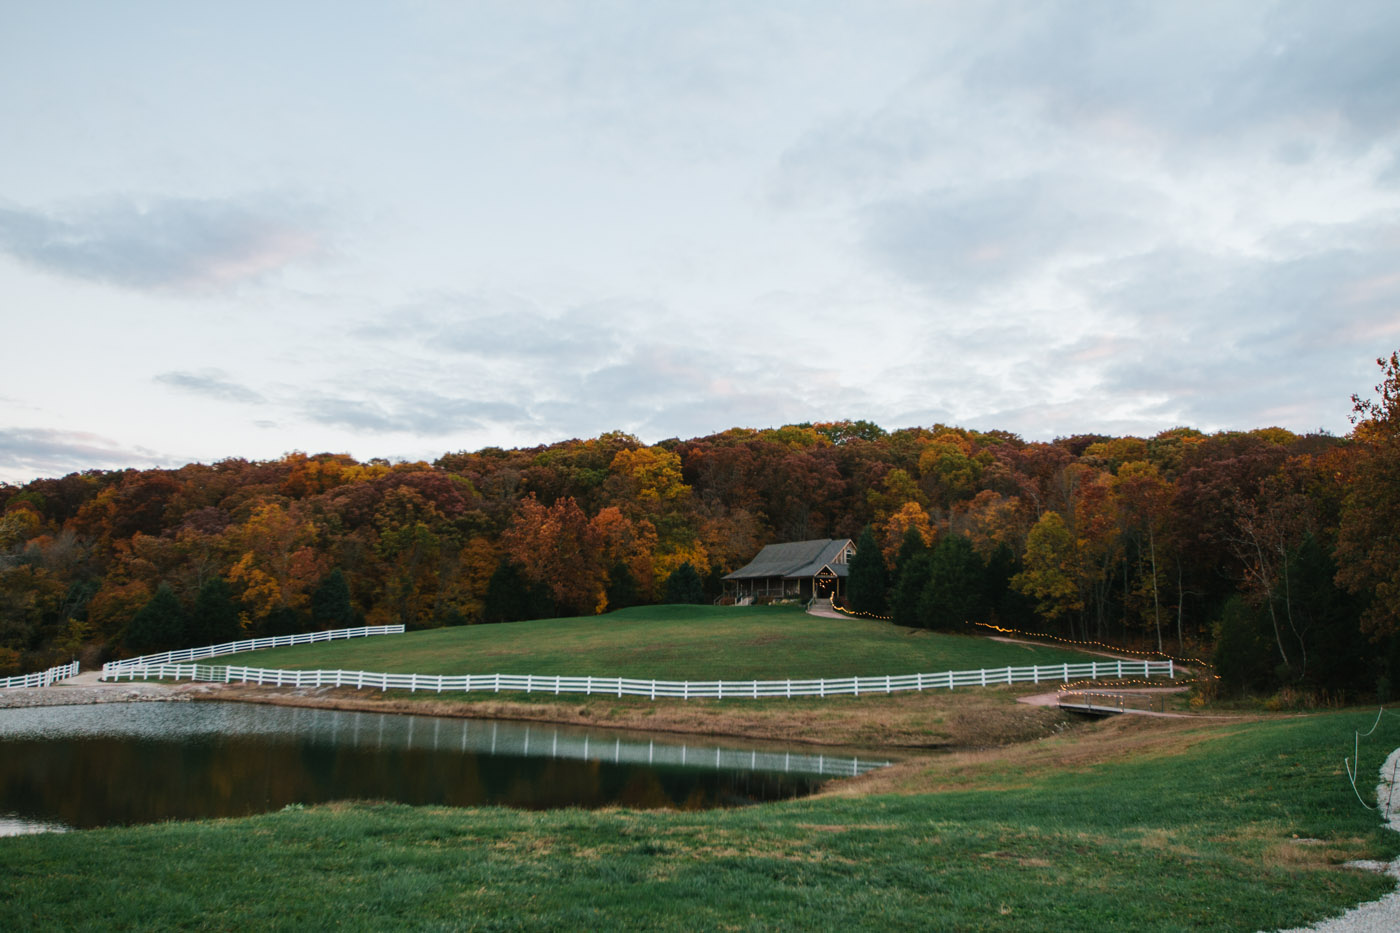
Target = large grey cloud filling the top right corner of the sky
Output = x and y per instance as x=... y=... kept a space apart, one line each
x=1206 y=74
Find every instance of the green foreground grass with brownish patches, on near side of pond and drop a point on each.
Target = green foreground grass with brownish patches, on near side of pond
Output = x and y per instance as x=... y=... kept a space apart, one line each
x=1133 y=826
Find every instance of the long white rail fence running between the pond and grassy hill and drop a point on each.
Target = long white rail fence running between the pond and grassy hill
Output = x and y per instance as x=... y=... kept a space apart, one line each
x=628 y=687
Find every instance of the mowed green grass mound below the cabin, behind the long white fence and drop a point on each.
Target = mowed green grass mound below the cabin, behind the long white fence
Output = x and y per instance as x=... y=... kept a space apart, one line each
x=668 y=642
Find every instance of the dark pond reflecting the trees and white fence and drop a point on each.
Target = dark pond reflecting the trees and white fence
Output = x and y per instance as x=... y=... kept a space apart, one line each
x=117 y=764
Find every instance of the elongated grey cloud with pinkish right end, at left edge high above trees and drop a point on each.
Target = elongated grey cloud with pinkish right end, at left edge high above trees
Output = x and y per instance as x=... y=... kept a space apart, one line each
x=167 y=243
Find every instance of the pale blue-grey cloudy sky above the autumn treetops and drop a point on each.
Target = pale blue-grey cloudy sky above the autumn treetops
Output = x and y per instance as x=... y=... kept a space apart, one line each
x=407 y=229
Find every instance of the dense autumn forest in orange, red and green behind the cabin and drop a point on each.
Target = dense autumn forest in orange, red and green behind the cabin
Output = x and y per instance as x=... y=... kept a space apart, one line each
x=1277 y=551
